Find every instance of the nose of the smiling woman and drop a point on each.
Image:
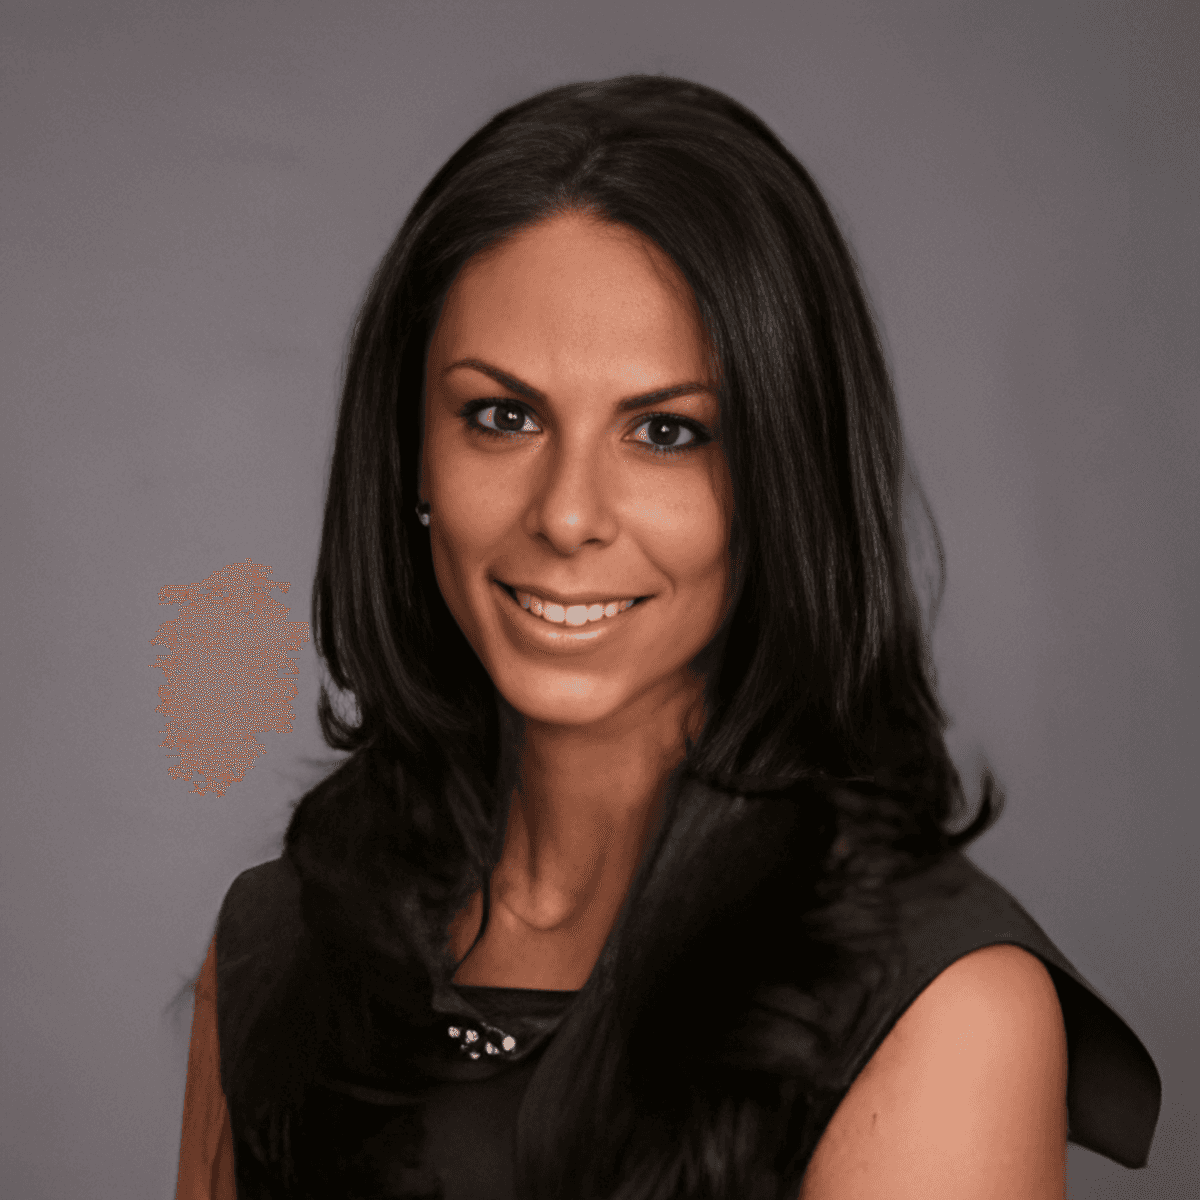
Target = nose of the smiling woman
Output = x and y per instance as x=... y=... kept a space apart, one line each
x=572 y=507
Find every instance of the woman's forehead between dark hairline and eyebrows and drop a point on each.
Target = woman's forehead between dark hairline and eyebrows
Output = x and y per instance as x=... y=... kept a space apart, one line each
x=574 y=293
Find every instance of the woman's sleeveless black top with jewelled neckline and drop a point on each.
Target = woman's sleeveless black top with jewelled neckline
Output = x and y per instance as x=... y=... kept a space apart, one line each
x=458 y=1139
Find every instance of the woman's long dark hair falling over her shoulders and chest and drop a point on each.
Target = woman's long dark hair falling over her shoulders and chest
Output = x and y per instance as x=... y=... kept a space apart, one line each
x=823 y=718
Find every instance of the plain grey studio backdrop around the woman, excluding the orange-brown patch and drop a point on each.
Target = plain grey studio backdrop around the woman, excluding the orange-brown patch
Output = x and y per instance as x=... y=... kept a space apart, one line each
x=194 y=200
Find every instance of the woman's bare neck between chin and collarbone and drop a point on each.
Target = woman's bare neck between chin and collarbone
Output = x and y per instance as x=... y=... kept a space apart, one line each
x=589 y=801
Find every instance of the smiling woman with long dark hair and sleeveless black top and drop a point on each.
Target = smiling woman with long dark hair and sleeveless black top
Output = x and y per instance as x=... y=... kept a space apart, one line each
x=637 y=881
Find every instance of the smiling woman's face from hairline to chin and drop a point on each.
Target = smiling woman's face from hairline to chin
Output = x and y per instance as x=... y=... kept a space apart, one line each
x=562 y=485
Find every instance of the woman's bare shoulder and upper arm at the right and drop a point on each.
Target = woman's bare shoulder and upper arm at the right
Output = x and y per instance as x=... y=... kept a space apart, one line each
x=965 y=1096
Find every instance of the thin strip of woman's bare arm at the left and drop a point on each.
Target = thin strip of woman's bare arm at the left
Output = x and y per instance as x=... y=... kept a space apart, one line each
x=206 y=1150
